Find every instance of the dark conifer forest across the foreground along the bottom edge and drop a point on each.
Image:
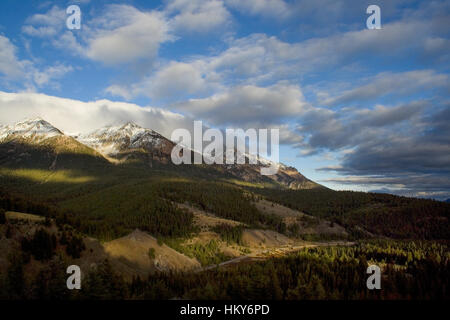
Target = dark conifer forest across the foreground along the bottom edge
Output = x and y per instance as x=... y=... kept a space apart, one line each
x=410 y=270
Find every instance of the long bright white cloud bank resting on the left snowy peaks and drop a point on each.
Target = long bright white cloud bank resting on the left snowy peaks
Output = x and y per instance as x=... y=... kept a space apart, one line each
x=78 y=116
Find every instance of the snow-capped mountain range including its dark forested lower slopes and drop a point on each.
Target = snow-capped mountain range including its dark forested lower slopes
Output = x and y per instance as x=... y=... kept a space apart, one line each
x=119 y=178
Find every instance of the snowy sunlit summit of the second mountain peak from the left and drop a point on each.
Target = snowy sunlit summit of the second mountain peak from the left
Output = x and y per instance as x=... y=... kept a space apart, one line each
x=111 y=140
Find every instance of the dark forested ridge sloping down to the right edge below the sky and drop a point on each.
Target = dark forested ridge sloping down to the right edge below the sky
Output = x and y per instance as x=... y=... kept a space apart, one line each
x=381 y=214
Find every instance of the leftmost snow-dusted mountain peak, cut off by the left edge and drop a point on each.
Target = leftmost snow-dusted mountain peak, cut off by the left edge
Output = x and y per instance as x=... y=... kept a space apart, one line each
x=35 y=129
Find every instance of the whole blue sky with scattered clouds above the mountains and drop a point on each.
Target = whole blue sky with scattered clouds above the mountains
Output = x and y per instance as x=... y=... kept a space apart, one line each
x=357 y=109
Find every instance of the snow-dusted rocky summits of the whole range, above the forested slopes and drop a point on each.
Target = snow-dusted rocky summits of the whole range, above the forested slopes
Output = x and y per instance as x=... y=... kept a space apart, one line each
x=122 y=141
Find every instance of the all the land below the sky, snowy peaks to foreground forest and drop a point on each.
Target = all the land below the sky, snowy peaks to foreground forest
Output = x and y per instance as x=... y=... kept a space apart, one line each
x=113 y=203
